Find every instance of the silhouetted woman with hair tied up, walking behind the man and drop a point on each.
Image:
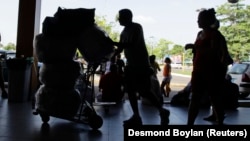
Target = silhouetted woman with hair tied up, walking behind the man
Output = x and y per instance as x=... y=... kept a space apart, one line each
x=209 y=71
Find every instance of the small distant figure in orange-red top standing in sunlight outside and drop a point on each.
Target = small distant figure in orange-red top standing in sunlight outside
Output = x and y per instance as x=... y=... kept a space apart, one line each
x=166 y=77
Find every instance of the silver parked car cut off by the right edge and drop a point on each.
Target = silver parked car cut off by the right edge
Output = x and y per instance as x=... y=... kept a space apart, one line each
x=240 y=73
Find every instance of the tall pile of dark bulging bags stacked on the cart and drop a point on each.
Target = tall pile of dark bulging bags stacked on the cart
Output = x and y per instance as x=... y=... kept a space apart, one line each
x=62 y=34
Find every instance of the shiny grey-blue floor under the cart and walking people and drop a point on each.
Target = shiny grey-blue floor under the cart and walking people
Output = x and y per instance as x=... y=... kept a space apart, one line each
x=17 y=123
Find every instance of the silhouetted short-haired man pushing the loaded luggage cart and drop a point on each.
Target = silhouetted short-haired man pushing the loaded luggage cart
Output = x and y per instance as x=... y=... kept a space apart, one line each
x=137 y=71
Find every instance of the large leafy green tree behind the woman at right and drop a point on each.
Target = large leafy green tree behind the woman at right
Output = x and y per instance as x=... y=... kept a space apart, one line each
x=234 y=19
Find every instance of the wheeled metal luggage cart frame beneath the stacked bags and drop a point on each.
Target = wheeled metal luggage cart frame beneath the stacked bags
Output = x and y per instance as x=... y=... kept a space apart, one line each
x=86 y=113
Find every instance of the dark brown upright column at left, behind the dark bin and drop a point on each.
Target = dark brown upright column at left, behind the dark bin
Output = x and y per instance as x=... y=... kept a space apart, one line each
x=27 y=27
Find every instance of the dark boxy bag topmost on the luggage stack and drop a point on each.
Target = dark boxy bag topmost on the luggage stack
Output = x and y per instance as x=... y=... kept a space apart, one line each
x=68 y=22
